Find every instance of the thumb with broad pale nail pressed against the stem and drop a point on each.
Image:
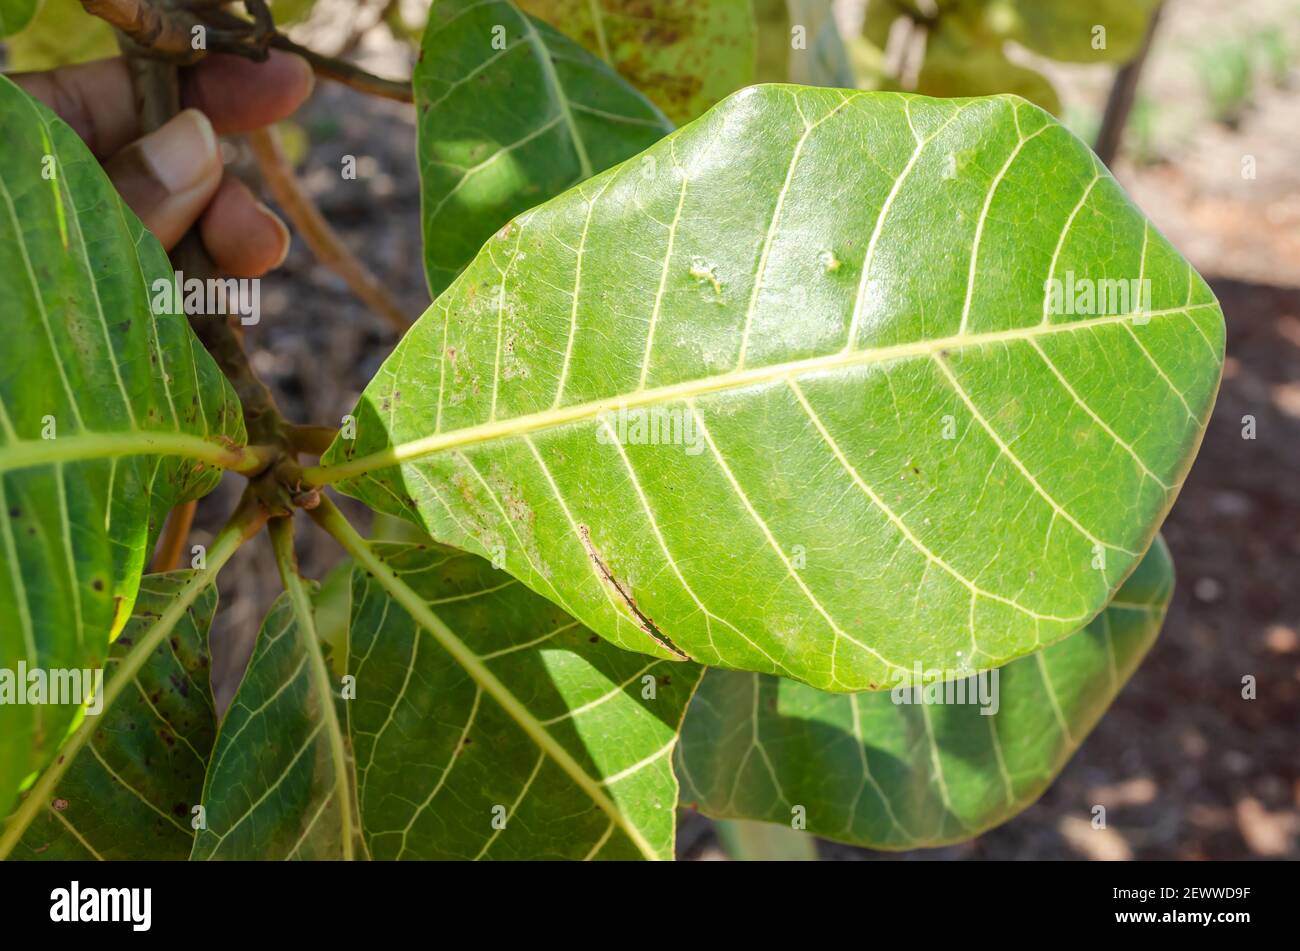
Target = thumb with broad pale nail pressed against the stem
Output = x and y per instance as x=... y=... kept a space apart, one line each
x=170 y=176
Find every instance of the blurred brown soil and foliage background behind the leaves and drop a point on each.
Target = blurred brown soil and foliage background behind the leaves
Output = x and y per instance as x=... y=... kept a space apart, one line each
x=1210 y=151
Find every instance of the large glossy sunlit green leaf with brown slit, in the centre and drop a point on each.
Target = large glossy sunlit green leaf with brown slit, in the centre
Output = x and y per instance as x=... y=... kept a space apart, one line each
x=834 y=309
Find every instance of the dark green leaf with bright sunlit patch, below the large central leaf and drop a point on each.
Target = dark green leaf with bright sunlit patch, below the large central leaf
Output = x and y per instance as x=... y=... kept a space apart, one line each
x=445 y=748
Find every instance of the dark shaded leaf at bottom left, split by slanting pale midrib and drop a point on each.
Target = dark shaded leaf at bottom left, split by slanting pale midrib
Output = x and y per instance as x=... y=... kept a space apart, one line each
x=131 y=791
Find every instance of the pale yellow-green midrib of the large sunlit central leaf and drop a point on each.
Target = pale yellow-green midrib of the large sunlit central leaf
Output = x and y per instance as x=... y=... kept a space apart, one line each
x=735 y=380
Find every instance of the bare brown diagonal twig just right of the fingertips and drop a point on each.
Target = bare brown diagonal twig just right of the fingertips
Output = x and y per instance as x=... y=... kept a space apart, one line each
x=324 y=242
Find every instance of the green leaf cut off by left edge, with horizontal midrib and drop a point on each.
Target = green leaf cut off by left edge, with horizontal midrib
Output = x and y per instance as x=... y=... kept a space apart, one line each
x=110 y=415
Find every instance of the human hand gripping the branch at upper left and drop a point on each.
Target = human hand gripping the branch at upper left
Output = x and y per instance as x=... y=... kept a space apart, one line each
x=174 y=177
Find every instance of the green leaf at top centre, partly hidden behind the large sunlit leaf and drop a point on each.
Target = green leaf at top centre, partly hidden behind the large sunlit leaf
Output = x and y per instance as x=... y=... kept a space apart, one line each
x=512 y=114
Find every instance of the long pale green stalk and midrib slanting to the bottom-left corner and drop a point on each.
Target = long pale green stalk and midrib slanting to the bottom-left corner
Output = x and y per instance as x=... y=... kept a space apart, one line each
x=244 y=526
